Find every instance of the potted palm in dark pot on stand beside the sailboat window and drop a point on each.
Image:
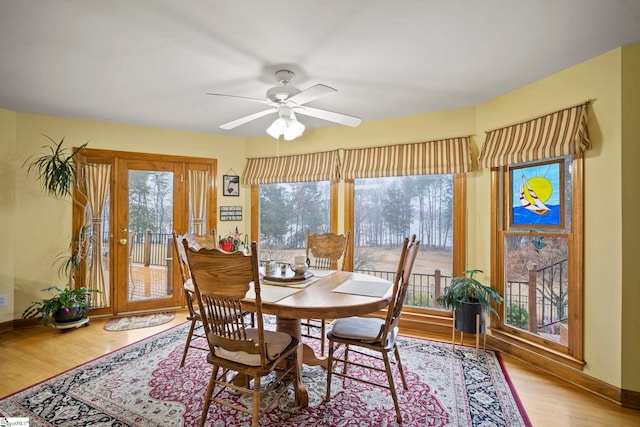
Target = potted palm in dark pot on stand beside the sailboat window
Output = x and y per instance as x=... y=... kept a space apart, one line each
x=469 y=299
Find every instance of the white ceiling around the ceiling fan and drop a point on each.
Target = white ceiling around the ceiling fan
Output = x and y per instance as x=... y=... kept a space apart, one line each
x=151 y=62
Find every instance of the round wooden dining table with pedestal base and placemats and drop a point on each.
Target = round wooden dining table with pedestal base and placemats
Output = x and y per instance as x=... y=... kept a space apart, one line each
x=319 y=301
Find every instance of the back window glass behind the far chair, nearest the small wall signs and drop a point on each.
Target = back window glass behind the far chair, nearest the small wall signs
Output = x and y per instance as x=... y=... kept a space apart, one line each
x=286 y=212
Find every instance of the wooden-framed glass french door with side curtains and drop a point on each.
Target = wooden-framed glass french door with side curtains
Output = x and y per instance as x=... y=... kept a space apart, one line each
x=148 y=197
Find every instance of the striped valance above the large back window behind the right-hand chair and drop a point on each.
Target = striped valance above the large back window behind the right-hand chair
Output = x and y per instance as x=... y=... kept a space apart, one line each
x=423 y=158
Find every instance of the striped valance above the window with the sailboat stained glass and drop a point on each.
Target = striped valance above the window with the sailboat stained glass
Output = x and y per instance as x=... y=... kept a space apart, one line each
x=557 y=134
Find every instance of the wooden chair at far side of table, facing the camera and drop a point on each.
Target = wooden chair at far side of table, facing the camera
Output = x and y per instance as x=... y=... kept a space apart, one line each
x=324 y=252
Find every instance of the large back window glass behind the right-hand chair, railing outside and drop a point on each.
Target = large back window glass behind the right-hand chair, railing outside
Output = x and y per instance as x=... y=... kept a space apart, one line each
x=389 y=209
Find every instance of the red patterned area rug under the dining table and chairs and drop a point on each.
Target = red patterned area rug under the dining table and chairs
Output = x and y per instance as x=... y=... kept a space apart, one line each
x=141 y=385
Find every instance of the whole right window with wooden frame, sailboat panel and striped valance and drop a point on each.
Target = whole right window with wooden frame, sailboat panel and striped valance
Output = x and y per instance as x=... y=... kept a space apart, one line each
x=537 y=255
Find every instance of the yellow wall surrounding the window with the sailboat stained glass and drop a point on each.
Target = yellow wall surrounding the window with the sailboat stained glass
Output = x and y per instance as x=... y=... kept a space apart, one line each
x=598 y=79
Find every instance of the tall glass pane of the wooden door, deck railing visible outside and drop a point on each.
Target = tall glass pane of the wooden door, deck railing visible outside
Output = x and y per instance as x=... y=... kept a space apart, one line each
x=150 y=225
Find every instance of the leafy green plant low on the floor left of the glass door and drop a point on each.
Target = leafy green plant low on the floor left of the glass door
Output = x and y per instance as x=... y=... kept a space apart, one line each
x=68 y=305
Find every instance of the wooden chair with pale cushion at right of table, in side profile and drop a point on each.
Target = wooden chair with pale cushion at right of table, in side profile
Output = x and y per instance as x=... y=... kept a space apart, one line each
x=374 y=334
